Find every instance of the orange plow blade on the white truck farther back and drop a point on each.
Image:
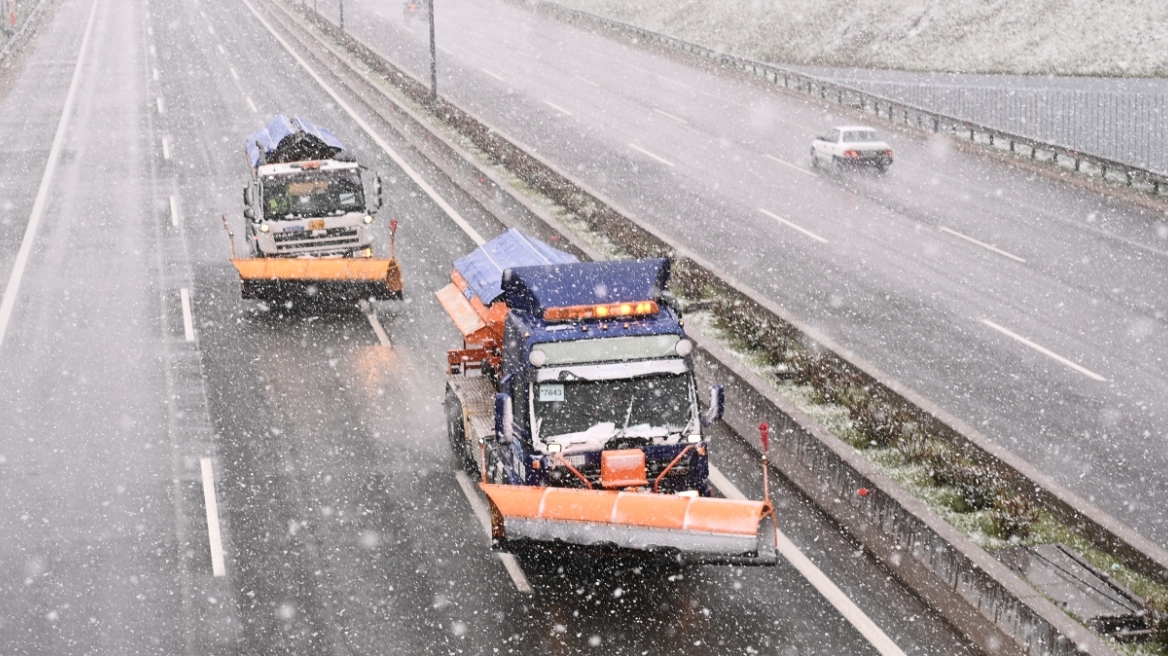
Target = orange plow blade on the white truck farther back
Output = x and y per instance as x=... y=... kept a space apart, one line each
x=350 y=278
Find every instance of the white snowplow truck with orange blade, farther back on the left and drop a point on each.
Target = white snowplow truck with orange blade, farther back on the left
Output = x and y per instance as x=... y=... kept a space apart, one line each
x=310 y=222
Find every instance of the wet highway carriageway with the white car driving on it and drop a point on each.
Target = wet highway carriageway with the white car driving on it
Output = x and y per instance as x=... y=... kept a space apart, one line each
x=1032 y=309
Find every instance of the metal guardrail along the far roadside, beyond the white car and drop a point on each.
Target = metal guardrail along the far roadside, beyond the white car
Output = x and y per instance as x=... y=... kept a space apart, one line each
x=894 y=111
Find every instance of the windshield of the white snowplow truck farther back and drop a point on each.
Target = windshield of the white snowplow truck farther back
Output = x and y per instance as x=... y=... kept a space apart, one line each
x=312 y=194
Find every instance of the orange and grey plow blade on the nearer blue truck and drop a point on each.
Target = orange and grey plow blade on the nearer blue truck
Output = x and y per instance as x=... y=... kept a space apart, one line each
x=697 y=529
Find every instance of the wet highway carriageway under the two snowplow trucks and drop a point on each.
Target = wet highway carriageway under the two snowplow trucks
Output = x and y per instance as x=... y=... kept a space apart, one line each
x=184 y=472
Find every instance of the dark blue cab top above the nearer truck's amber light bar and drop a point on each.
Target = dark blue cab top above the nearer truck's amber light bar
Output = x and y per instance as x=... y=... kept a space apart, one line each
x=537 y=289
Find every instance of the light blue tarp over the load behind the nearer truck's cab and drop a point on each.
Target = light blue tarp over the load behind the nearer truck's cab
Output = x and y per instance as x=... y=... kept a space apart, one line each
x=484 y=269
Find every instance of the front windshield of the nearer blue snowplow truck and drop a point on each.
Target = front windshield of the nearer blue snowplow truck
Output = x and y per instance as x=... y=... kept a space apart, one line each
x=648 y=407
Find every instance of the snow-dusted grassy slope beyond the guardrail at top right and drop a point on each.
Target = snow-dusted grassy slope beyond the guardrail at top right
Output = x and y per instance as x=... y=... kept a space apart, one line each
x=1099 y=38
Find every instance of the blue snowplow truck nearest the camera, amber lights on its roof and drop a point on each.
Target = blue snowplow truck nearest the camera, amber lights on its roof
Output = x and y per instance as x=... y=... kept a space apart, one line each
x=574 y=401
